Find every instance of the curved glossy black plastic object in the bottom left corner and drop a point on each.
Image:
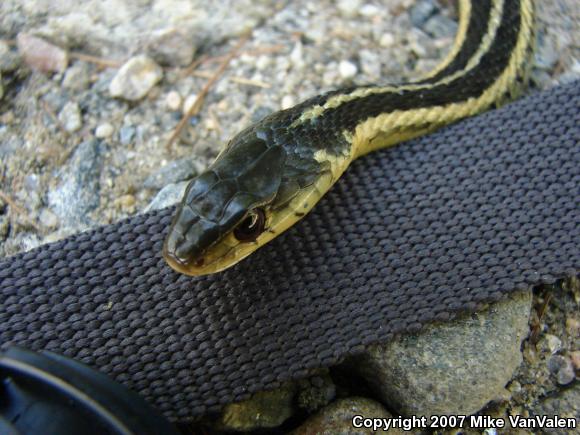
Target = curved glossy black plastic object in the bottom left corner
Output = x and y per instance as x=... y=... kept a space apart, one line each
x=45 y=393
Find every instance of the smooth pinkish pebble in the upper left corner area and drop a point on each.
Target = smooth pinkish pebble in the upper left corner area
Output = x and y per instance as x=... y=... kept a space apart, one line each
x=41 y=55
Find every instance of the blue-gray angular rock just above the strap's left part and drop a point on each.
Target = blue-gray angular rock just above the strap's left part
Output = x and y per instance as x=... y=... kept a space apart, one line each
x=78 y=192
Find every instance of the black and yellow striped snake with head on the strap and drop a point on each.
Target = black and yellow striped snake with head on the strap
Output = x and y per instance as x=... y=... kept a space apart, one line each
x=272 y=173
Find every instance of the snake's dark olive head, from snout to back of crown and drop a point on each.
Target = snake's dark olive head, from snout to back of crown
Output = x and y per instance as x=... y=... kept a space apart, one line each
x=224 y=214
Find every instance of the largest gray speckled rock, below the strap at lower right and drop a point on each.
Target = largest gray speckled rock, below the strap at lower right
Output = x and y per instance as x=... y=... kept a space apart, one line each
x=454 y=368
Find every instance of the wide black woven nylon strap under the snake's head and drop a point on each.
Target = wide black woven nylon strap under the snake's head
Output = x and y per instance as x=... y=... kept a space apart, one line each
x=410 y=235
